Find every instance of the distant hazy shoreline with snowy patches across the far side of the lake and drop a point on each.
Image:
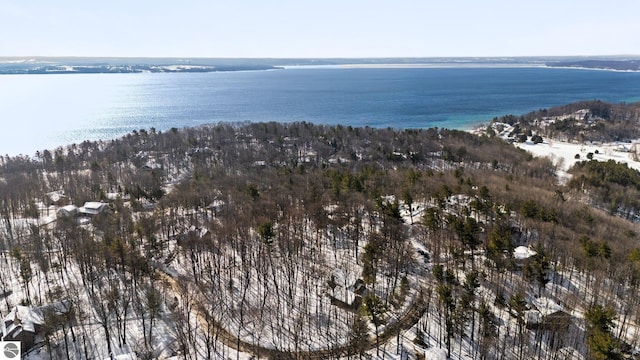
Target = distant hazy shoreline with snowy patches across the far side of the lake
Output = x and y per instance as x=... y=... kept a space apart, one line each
x=108 y=65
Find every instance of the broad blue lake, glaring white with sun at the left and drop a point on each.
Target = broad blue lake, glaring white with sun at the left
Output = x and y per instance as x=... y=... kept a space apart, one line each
x=46 y=111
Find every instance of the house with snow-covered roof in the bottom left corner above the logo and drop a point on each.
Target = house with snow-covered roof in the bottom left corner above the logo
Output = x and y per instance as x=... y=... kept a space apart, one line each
x=22 y=324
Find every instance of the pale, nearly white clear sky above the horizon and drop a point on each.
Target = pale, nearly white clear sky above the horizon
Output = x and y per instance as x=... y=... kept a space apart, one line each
x=317 y=29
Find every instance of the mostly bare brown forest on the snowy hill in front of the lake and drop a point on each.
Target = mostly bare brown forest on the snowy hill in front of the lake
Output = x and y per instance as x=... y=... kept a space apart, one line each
x=303 y=241
